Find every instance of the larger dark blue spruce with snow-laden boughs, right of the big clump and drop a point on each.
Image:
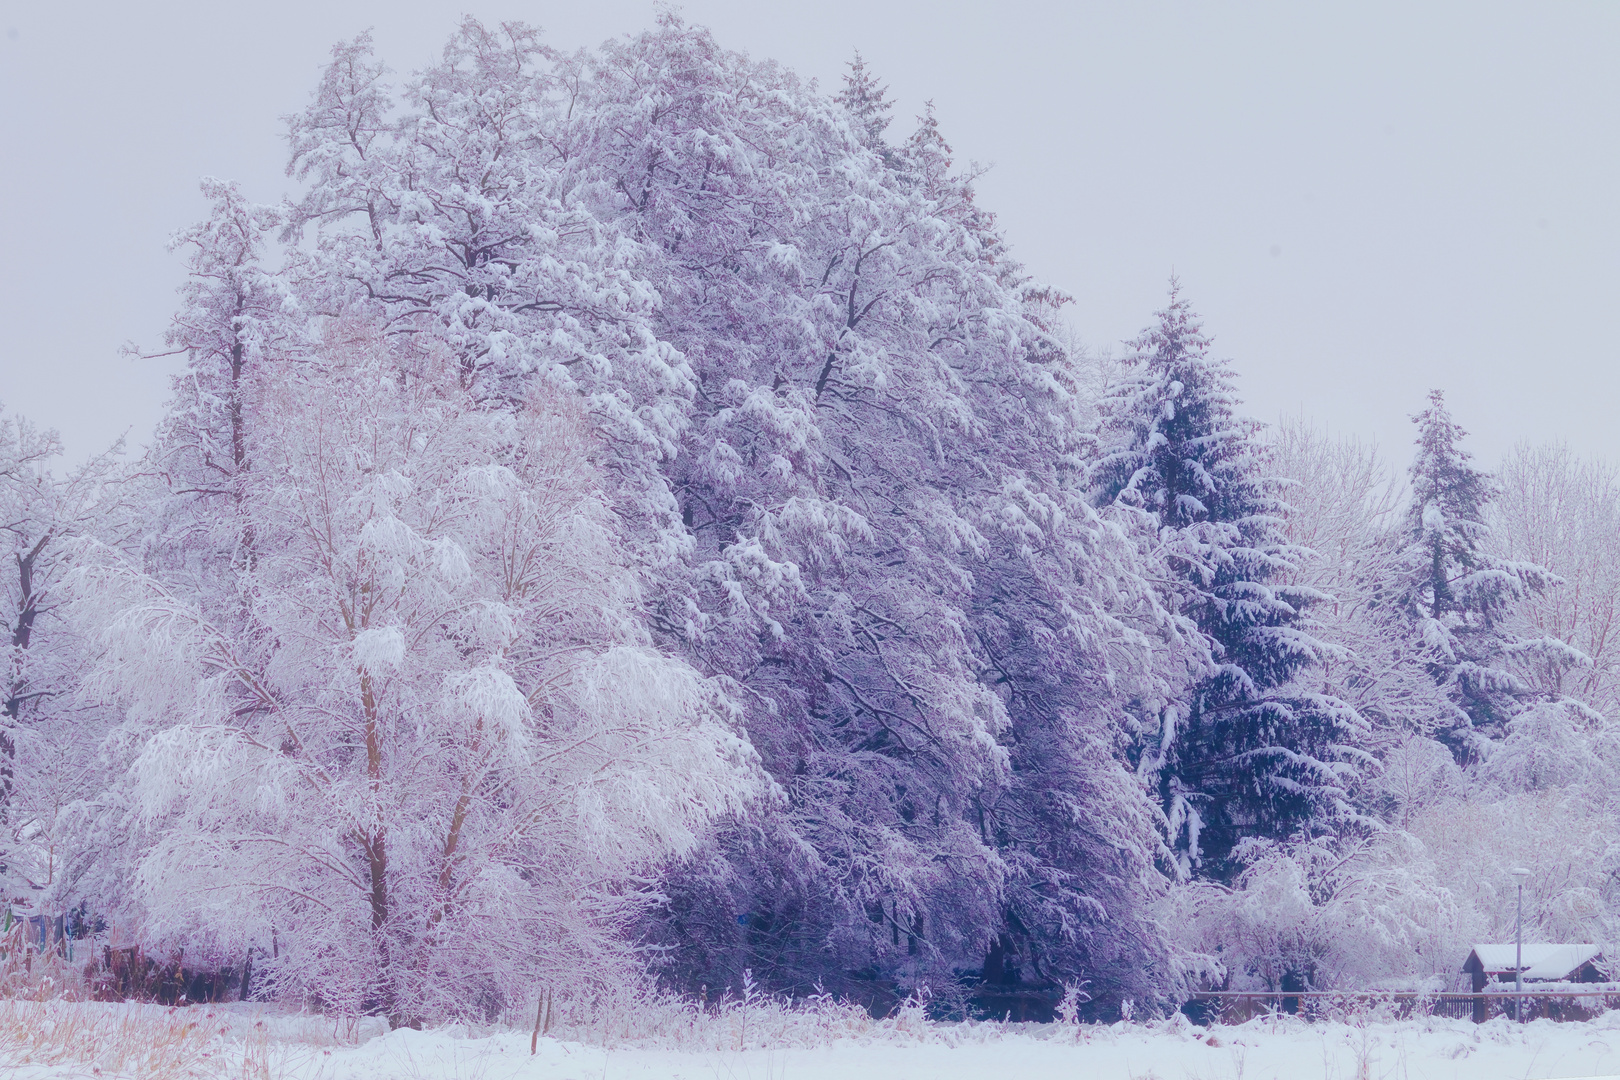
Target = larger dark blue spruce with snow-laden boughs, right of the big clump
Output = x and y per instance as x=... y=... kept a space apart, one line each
x=1247 y=754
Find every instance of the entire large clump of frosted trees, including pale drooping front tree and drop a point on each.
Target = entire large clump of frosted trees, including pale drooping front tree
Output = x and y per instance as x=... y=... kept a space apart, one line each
x=835 y=496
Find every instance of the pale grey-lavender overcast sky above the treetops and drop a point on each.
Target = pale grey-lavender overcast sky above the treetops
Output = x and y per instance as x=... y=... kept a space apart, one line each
x=1365 y=200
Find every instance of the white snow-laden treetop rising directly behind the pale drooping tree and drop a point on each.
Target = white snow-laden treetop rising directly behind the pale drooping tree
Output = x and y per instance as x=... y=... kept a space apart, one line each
x=453 y=206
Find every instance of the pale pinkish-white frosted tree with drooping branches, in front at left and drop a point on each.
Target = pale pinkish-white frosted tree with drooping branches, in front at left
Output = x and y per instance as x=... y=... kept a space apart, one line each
x=435 y=750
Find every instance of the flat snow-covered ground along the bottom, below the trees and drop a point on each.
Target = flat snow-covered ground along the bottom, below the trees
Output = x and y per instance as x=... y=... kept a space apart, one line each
x=307 y=1048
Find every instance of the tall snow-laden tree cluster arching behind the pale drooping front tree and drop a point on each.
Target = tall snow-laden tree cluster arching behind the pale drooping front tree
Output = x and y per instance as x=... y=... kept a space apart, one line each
x=842 y=436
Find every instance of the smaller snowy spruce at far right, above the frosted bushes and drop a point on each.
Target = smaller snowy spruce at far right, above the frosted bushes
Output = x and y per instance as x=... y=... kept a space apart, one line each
x=1459 y=597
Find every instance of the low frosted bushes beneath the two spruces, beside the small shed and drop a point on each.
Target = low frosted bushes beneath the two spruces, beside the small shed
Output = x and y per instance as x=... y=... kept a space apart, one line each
x=1404 y=904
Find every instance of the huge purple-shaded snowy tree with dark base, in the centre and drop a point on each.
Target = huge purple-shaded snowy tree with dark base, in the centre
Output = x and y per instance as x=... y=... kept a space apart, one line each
x=892 y=548
